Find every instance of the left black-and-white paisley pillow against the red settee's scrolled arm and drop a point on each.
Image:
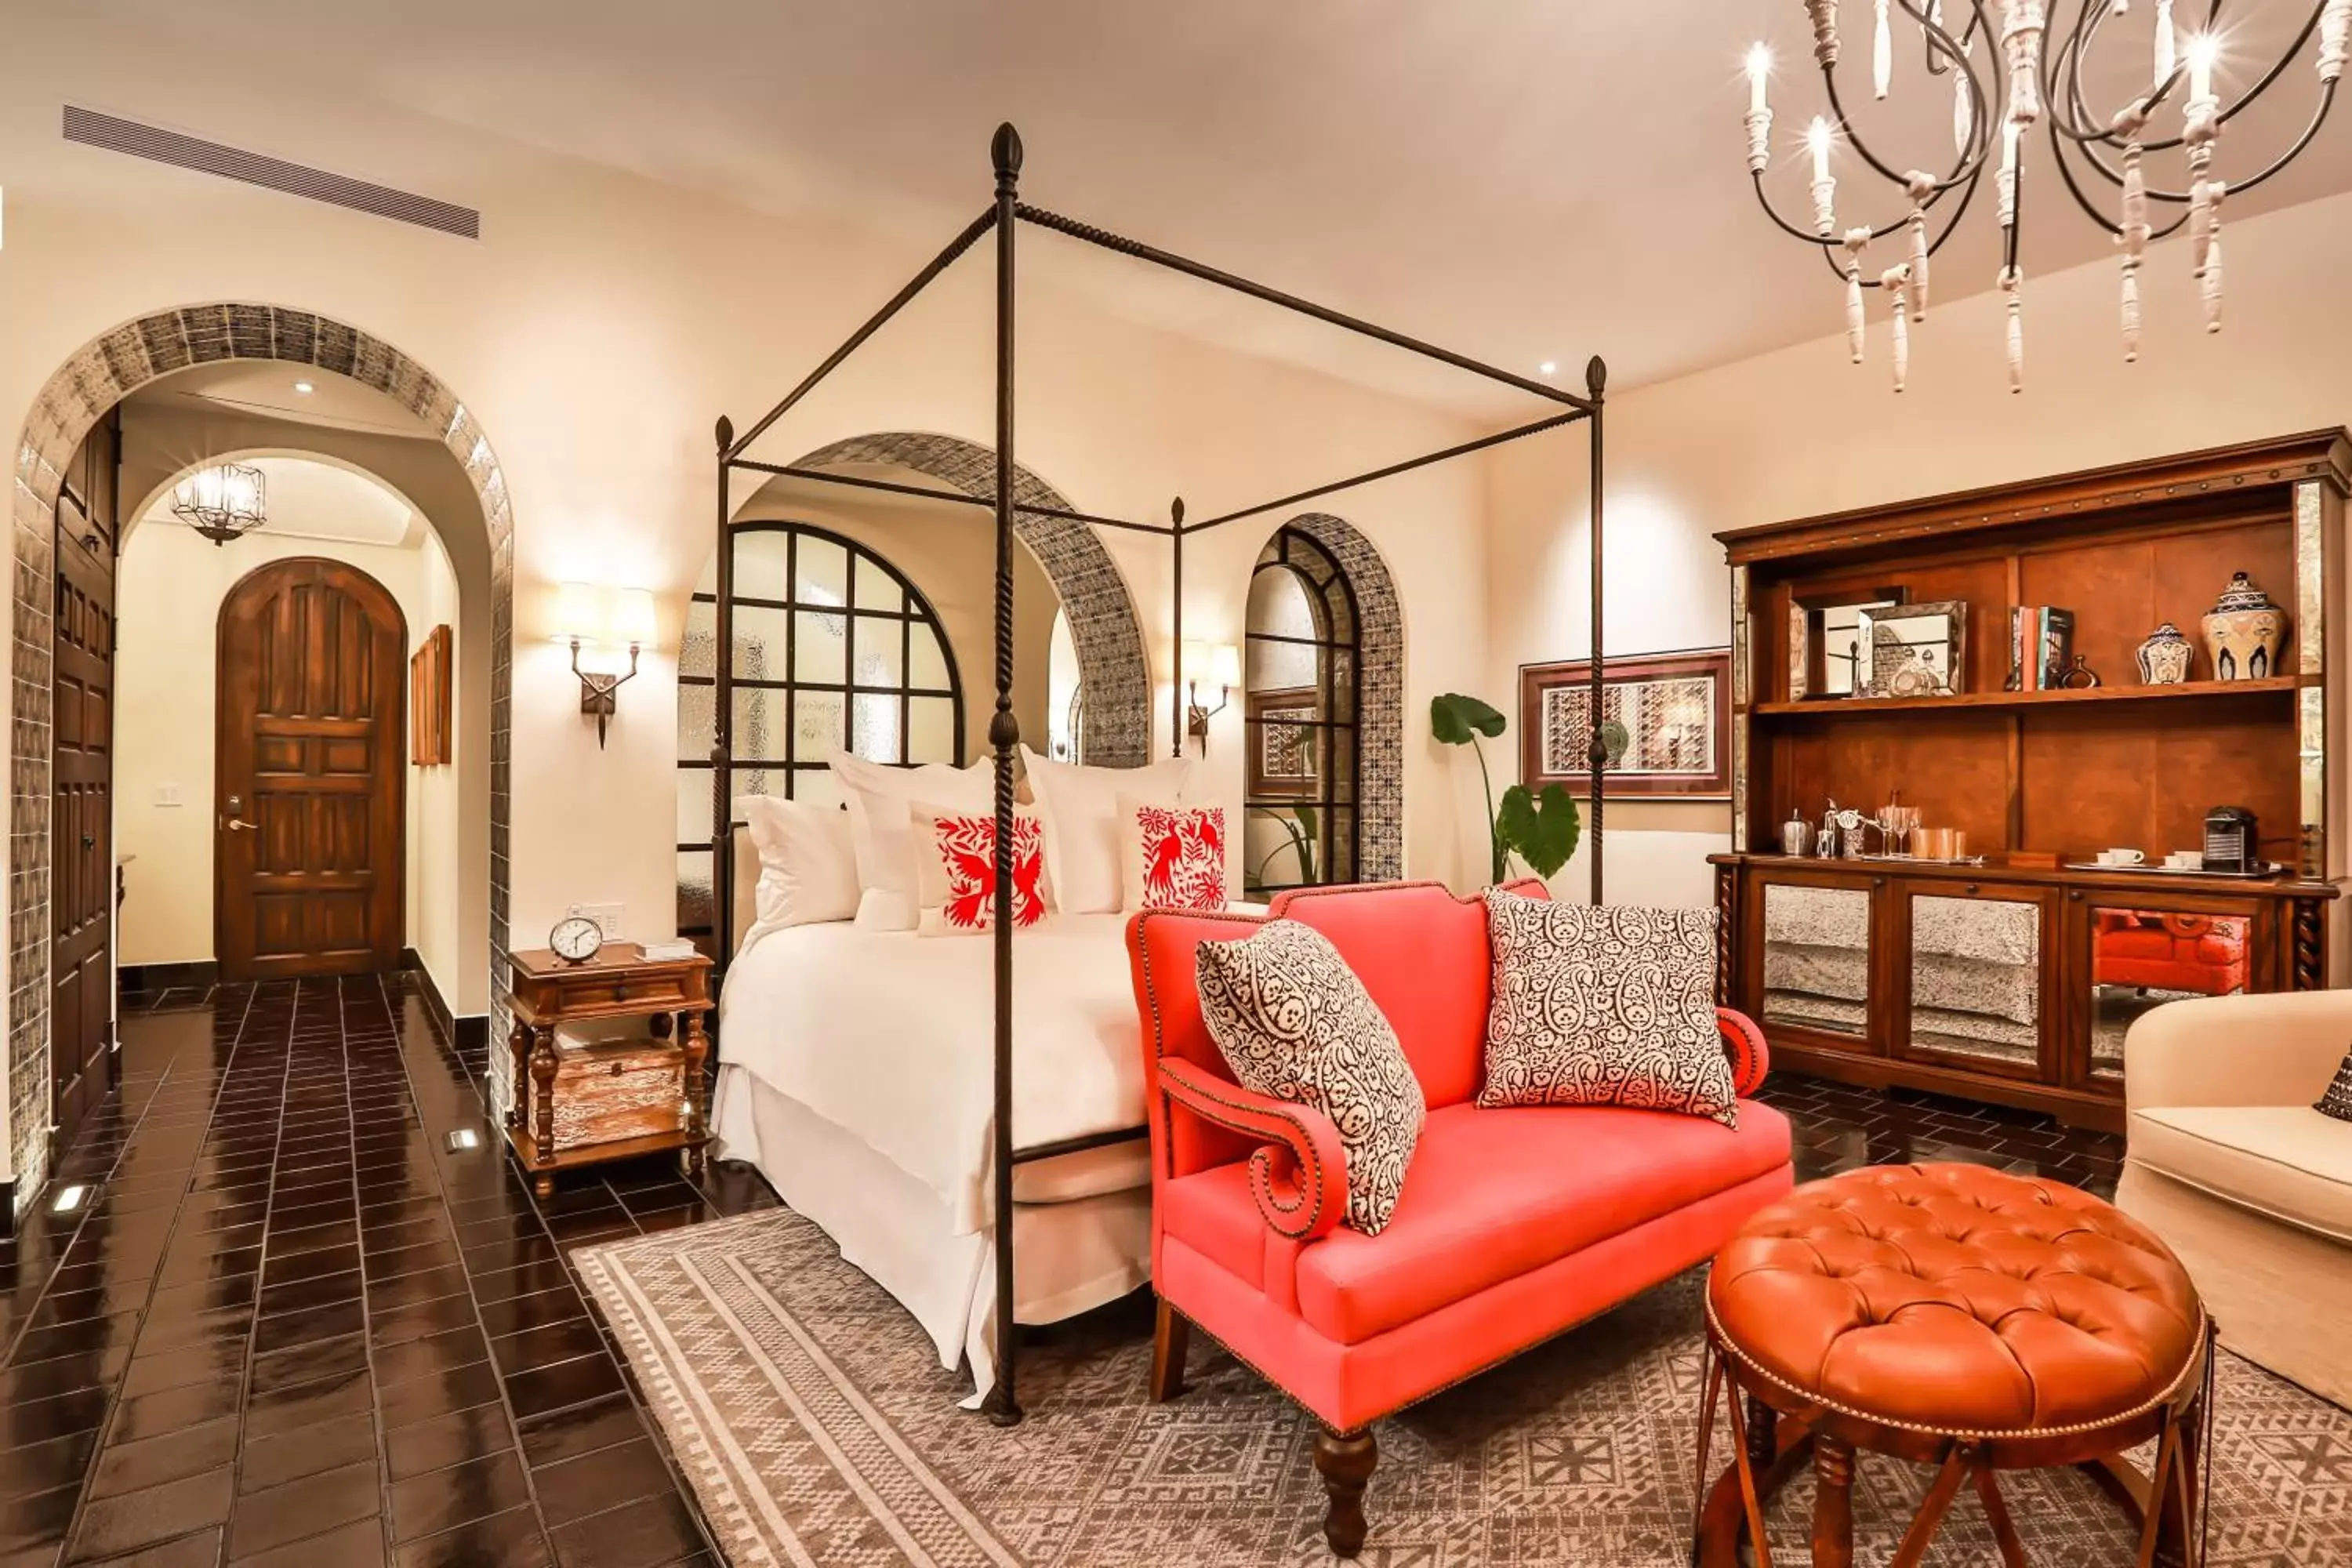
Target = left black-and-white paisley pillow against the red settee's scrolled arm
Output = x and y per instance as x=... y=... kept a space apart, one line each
x=1295 y=1024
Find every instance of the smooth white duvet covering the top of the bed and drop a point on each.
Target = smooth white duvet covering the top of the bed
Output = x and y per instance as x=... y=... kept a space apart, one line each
x=893 y=1038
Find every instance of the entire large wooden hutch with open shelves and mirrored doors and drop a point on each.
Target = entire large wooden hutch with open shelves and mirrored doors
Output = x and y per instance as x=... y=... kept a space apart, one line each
x=2014 y=979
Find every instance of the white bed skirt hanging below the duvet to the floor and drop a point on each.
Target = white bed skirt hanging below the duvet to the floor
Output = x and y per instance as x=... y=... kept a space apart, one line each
x=1069 y=1257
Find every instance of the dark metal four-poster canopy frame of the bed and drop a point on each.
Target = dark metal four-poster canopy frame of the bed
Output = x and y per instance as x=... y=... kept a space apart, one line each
x=1003 y=220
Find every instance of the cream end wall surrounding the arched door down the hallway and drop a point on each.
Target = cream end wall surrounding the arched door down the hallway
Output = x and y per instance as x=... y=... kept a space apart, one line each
x=168 y=608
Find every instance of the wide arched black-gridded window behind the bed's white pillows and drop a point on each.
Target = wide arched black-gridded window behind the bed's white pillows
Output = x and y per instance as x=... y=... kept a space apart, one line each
x=831 y=650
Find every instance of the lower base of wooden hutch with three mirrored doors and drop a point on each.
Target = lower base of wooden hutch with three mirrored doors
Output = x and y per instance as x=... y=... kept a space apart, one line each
x=1993 y=984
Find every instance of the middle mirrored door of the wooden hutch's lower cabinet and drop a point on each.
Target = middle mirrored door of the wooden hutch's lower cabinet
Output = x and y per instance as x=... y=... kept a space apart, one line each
x=1977 y=979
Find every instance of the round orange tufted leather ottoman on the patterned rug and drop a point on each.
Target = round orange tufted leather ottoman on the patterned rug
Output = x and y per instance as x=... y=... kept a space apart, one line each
x=1963 y=1318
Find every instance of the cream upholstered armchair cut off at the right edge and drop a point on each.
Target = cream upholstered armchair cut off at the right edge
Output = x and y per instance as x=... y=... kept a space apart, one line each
x=2233 y=1167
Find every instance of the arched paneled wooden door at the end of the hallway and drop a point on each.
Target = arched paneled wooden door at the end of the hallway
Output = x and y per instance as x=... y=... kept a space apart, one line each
x=309 y=782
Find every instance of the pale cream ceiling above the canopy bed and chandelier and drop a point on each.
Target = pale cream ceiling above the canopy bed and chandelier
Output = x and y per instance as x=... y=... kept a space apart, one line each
x=1521 y=180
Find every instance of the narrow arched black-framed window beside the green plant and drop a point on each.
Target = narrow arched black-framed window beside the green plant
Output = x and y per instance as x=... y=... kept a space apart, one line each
x=1302 y=681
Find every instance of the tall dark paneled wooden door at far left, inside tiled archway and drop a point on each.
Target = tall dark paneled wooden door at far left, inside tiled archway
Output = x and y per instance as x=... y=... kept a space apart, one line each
x=81 y=803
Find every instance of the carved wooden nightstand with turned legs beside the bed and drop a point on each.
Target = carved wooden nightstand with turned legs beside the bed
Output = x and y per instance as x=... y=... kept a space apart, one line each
x=615 y=984
